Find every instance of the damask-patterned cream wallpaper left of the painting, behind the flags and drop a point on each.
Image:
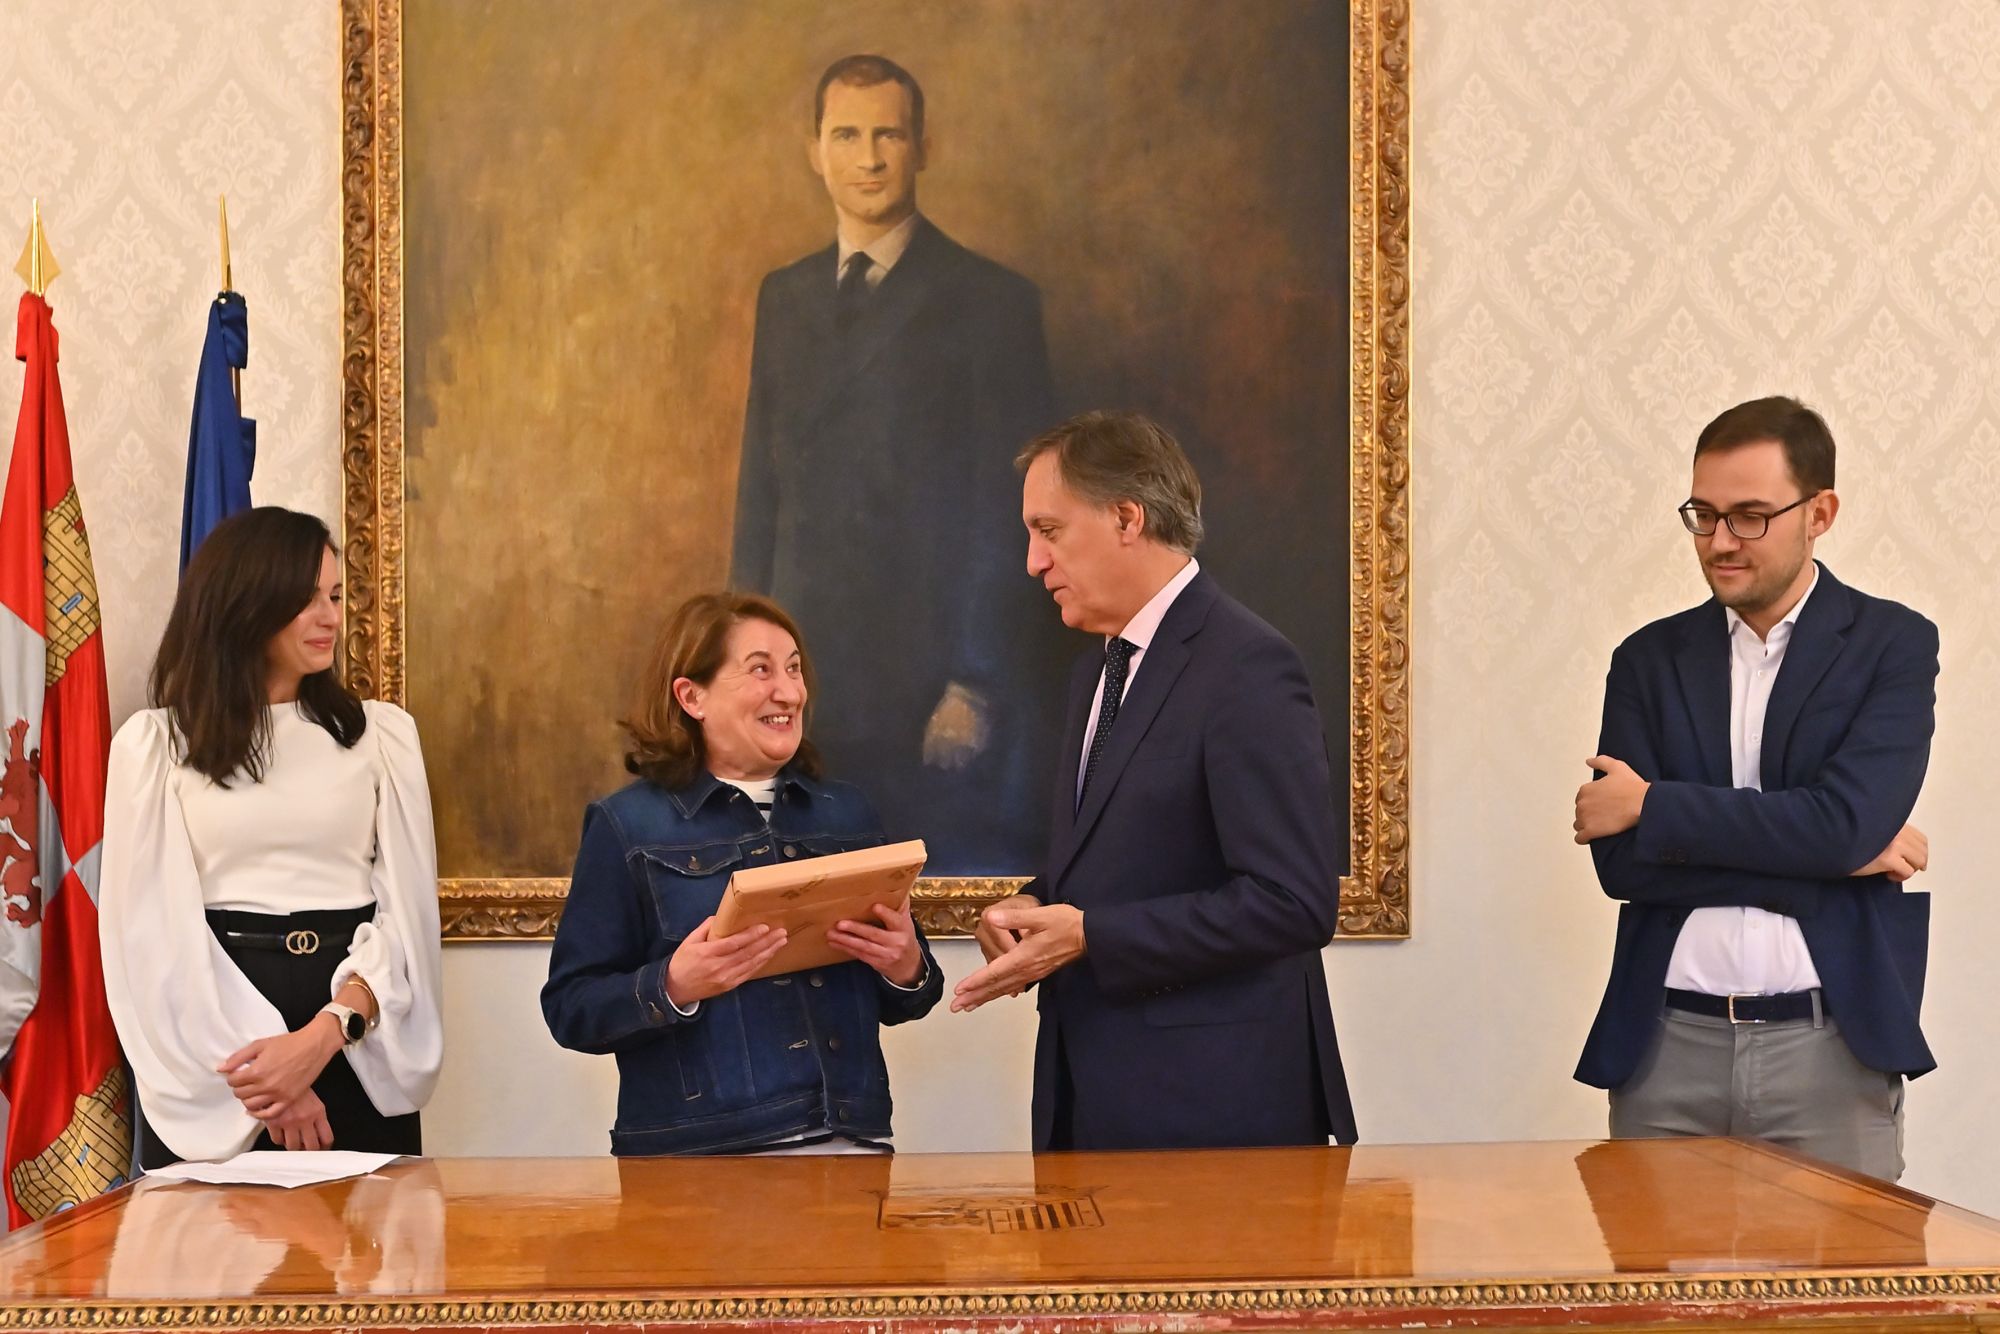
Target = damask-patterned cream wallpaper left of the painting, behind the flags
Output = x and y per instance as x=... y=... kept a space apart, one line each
x=127 y=119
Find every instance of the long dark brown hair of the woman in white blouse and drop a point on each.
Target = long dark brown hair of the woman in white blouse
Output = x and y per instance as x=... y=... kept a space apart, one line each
x=247 y=583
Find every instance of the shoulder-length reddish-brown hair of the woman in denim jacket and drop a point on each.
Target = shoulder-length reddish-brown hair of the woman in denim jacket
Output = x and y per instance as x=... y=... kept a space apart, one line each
x=667 y=743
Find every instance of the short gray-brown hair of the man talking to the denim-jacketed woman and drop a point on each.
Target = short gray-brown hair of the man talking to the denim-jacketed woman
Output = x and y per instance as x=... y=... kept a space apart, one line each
x=1115 y=457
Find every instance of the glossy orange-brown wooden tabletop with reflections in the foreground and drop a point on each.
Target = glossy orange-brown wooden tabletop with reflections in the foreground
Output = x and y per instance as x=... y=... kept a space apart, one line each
x=1443 y=1213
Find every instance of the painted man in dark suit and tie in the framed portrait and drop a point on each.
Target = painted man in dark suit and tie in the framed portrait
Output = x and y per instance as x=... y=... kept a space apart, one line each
x=893 y=379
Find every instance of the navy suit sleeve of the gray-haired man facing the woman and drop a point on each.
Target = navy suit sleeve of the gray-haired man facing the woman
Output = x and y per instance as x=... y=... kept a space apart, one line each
x=1271 y=793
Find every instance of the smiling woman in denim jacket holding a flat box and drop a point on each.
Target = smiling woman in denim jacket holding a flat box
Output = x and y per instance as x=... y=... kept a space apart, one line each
x=711 y=1061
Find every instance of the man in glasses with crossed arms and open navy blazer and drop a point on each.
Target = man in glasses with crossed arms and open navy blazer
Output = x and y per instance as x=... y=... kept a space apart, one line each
x=1759 y=765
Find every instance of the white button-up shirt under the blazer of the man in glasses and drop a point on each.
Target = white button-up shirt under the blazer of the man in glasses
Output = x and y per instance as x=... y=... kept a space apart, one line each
x=1747 y=951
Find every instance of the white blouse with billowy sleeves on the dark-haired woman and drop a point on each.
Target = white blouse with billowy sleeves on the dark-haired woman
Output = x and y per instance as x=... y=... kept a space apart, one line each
x=329 y=827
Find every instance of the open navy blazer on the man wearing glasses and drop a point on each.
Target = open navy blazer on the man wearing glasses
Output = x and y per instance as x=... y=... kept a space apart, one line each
x=1847 y=741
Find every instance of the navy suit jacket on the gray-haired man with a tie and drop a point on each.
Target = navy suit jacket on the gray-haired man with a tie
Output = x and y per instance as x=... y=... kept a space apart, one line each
x=1205 y=863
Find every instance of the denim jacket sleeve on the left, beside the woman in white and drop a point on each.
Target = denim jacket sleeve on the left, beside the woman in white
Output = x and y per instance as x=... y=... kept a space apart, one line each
x=603 y=991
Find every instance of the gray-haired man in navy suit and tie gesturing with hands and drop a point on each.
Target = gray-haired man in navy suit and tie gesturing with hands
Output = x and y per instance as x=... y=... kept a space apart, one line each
x=1193 y=875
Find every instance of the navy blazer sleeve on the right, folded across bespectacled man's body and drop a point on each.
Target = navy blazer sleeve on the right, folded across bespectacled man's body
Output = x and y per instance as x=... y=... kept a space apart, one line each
x=1847 y=815
